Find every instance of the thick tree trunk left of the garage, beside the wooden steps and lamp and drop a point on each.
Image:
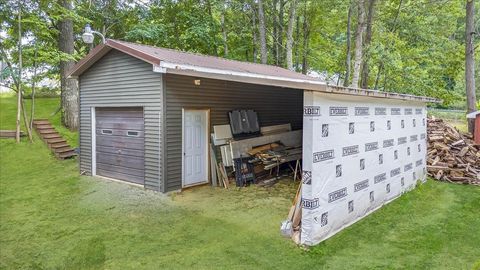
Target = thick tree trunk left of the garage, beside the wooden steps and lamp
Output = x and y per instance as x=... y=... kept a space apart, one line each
x=69 y=86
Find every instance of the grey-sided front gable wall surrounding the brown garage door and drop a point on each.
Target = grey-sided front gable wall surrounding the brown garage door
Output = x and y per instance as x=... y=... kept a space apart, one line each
x=119 y=80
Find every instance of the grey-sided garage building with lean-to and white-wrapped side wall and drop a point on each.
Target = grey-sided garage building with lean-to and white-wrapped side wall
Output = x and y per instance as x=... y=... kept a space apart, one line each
x=146 y=115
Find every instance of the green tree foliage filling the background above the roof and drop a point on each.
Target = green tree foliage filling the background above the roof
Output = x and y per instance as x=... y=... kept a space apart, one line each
x=415 y=49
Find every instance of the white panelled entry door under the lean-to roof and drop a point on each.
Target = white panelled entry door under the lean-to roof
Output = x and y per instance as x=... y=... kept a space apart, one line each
x=195 y=141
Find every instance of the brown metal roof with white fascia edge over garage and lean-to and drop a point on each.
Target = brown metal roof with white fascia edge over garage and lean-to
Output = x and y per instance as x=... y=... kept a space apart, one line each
x=192 y=64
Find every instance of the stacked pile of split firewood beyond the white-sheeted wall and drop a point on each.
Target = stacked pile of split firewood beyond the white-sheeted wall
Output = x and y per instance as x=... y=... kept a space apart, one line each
x=452 y=156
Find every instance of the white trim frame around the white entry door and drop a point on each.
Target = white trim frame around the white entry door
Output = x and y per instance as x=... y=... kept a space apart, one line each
x=207 y=159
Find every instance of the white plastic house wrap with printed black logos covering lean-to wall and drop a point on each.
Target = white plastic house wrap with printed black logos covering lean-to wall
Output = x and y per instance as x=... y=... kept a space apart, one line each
x=358 y=154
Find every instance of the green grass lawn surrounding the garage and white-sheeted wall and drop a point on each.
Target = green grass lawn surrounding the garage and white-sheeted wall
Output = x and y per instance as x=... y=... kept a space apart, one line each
x=52 y=218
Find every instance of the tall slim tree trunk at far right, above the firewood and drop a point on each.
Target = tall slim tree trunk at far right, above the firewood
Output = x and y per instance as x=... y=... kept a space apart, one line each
x=470 y=61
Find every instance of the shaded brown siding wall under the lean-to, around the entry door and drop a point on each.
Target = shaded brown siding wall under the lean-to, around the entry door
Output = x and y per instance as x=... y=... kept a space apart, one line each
x=275 y=105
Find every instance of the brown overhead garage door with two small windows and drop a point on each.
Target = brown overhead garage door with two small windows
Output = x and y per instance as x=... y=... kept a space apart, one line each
x=120 y=143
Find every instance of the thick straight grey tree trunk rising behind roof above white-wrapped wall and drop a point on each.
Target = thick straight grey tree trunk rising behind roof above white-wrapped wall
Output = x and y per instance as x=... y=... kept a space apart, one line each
x=358 y=43
